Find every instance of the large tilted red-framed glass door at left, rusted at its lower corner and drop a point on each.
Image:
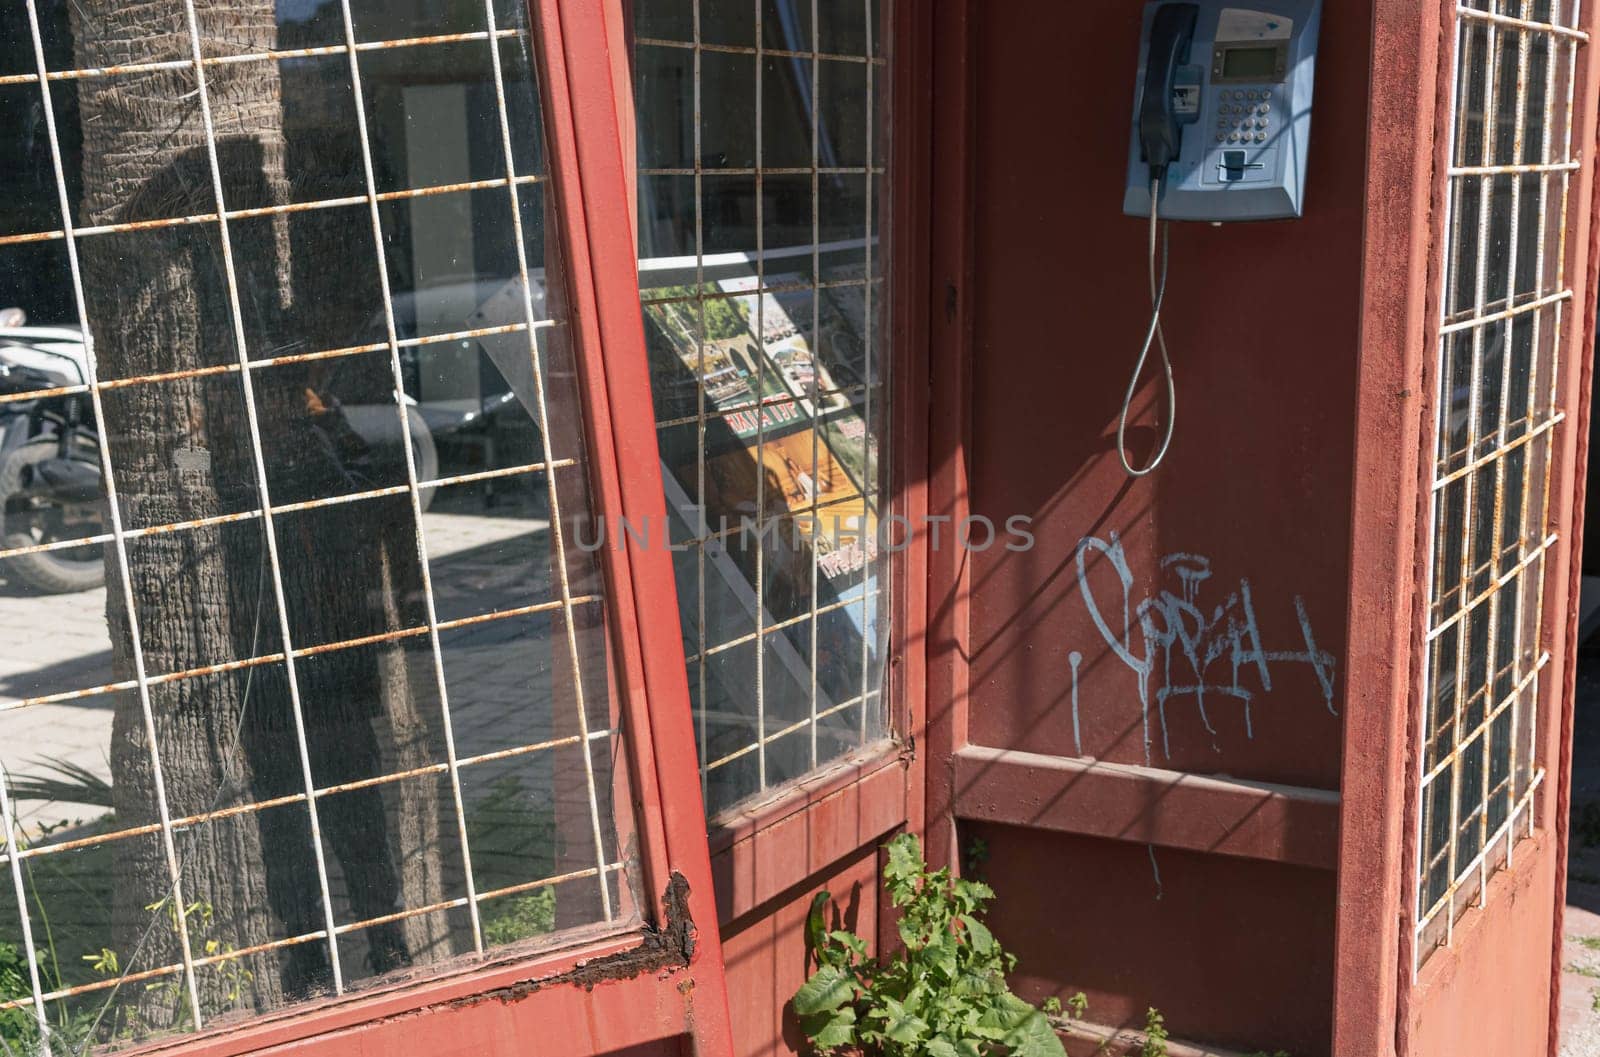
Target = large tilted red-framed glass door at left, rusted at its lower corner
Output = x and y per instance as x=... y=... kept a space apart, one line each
x=375 y=752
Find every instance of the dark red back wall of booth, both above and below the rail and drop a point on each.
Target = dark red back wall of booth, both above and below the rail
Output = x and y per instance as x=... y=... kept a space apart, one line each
x=1263 y=322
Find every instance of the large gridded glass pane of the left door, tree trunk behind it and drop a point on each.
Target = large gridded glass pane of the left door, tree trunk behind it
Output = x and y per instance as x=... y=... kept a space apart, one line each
x=385 y=738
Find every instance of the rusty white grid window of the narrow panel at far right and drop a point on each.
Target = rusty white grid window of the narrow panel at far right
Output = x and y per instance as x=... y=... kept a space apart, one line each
x=1505 y=300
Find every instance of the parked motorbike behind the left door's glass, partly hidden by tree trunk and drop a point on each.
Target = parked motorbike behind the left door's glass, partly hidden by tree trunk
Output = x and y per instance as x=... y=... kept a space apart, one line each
x=50 y=463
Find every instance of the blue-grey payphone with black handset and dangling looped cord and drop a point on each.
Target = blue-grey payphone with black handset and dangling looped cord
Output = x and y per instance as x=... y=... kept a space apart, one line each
x=1249 y=98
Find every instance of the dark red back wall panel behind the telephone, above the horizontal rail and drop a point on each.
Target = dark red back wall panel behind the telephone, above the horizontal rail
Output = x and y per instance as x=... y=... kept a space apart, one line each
x=1263 y=327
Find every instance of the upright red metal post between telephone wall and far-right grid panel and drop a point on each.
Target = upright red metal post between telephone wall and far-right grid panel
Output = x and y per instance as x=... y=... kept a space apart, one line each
x=1386 y=528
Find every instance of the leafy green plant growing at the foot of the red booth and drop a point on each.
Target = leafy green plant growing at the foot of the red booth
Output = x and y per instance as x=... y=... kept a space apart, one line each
x=945 y=995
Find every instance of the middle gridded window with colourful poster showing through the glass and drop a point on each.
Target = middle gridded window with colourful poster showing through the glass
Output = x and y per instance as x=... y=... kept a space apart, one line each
x=761 y=172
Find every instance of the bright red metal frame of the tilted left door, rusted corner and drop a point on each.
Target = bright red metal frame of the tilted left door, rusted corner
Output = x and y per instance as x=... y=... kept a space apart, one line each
x=604 y=991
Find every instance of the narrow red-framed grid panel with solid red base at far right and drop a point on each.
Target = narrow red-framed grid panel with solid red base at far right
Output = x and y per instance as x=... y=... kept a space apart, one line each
x=1508 y=327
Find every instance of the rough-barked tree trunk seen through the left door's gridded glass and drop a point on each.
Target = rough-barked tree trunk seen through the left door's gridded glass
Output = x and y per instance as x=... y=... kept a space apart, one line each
x=182 y=449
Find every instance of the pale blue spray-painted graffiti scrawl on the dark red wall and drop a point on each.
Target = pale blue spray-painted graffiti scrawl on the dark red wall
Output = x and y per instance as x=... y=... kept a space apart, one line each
x=1185 y=652
